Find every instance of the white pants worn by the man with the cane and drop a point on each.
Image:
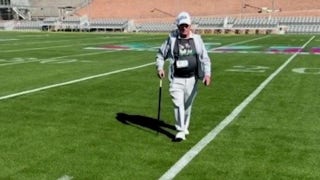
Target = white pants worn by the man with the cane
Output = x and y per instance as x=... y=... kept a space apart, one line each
x=183 y=91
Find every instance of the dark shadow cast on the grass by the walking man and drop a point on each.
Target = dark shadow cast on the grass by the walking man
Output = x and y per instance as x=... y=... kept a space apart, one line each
x=146 y=122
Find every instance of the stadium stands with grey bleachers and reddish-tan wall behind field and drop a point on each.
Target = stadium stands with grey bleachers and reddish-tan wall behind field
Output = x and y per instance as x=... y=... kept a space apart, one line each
x=209 y=17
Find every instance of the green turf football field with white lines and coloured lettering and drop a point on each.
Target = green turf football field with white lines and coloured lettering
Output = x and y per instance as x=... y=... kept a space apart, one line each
x=84 y=106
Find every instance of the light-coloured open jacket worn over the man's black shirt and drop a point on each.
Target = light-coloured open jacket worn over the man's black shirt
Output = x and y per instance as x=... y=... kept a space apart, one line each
x=166 y=52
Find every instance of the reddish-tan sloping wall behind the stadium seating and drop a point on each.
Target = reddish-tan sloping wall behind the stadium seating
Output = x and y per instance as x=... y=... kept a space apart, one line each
x=141 y=9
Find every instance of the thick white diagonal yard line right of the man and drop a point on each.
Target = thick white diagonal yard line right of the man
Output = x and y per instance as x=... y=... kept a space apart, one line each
x=195 y=150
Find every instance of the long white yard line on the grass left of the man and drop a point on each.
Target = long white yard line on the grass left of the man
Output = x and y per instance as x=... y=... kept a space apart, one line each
x=72 y=82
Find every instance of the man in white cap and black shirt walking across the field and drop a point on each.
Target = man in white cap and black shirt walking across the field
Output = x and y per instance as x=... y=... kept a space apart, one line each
x=189 y=62
